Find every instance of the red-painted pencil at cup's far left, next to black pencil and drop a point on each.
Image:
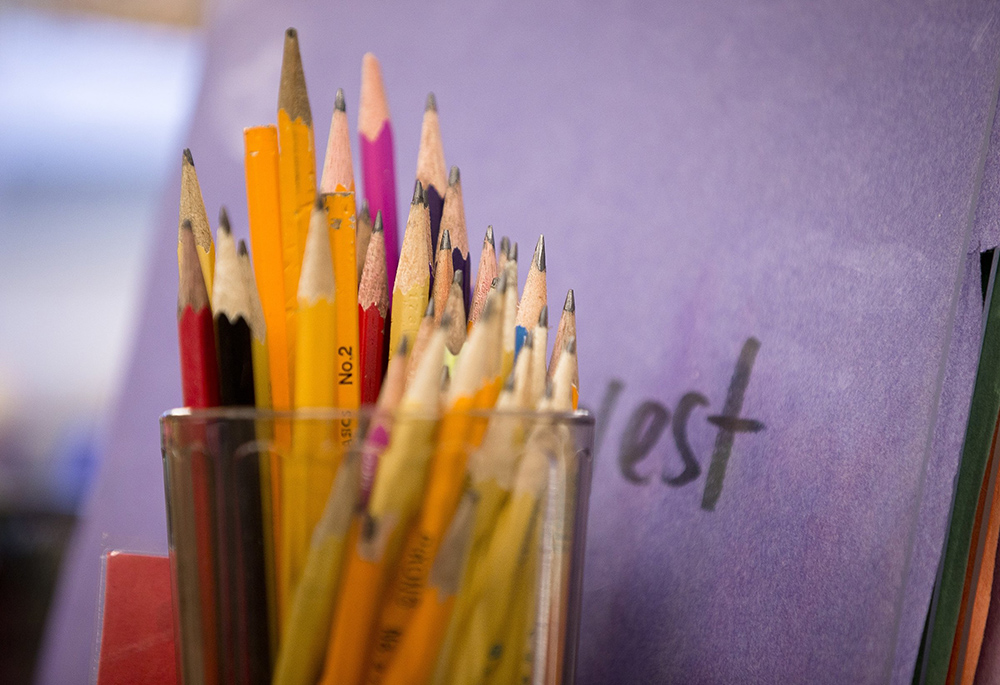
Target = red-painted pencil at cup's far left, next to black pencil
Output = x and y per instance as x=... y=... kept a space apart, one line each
x=200 y=386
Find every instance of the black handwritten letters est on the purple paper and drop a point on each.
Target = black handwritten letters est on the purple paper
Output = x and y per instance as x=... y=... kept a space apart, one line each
x=648 y=421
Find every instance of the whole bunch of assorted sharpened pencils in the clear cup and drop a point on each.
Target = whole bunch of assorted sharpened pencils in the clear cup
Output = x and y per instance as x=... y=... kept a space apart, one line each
x=405 y=548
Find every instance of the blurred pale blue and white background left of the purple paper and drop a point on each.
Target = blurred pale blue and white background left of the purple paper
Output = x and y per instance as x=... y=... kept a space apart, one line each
x=95 y=97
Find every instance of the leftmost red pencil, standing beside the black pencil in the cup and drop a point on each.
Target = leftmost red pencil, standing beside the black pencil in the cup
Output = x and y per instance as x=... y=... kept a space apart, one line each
x=200 y=388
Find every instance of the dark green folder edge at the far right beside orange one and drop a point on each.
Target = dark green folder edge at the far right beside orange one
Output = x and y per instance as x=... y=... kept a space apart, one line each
x=936 y=649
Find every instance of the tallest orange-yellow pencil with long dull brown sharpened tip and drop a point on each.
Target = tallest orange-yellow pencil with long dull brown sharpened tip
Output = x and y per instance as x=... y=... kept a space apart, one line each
x=296 y=178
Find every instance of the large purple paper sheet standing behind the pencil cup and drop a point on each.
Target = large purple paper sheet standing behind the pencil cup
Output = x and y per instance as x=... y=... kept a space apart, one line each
x=707 y=175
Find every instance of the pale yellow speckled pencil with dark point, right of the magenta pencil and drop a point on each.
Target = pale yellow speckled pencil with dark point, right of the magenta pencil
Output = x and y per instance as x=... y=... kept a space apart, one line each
x=412 y=287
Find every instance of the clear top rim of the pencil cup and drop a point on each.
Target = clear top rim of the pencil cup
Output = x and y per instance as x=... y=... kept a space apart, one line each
x=579 y=417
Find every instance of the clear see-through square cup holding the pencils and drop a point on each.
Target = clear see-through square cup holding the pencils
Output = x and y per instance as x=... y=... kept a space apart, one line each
x=369 y=546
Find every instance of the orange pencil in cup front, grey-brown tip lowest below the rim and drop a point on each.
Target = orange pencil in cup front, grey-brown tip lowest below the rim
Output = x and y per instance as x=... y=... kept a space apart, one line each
x=418 y=648
